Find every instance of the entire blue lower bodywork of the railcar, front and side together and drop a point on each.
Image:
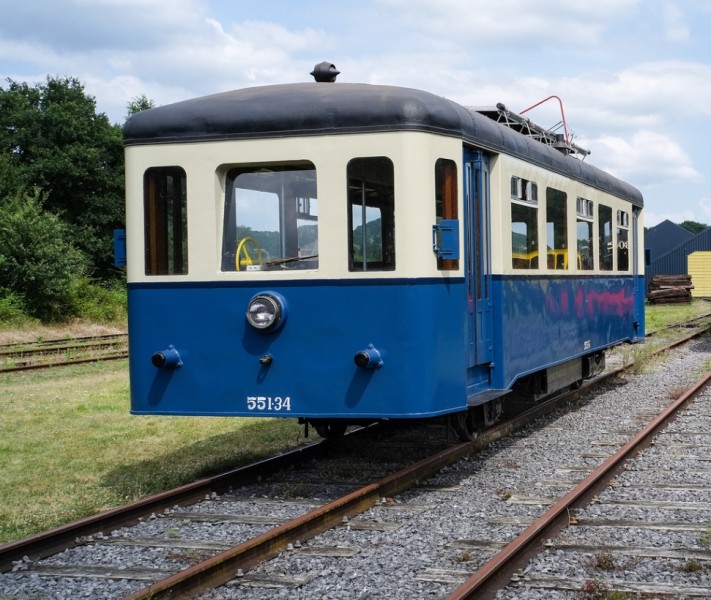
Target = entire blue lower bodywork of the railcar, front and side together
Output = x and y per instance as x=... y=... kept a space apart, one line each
x=421 y=329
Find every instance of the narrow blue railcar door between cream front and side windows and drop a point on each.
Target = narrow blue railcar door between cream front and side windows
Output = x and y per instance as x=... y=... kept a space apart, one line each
x=478 y=266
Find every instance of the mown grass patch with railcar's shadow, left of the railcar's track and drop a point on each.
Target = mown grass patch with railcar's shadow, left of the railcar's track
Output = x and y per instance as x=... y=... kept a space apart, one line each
x=69 y=447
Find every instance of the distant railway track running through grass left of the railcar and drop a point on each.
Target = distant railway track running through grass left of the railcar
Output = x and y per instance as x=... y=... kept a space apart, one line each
x=60 y=352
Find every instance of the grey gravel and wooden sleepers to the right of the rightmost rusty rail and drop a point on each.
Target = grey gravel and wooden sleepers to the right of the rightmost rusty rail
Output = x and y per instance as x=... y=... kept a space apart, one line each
x=666 y=522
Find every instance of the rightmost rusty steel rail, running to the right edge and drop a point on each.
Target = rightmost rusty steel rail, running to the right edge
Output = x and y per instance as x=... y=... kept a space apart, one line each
x=497 y=572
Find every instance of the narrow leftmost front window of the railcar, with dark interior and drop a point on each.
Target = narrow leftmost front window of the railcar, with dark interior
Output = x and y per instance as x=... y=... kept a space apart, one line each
x=165 y=221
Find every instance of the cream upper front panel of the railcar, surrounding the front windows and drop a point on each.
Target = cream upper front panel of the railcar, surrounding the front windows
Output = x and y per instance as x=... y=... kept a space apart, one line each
x=206 y=165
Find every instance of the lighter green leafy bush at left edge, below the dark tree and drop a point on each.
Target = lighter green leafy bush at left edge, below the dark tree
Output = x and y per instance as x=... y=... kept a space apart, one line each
x=38 y=262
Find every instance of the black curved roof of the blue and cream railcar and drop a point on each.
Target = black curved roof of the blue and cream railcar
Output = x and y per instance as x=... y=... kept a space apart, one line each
x=327 y=108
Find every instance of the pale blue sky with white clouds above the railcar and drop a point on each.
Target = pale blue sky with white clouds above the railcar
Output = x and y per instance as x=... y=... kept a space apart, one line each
x=634 y=76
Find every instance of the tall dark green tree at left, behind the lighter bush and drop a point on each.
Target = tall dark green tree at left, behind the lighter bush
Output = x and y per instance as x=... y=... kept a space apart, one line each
x=52 y=139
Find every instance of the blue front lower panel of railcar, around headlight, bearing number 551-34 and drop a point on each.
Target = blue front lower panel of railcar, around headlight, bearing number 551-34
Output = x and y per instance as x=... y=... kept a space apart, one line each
x=418 y=326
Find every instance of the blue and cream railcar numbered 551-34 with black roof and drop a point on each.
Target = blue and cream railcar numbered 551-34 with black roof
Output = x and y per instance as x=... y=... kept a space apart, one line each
x=344 y=253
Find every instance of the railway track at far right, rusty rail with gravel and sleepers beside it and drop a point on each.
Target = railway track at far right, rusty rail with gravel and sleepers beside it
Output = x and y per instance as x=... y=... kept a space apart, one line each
x=613 y=497
